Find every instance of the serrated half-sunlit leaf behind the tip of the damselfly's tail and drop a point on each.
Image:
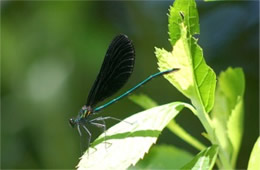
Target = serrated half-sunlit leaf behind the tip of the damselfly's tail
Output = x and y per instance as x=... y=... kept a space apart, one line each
x=195 y=79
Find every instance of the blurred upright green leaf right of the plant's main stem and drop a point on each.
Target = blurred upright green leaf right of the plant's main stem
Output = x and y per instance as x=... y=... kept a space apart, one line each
x=227 y=114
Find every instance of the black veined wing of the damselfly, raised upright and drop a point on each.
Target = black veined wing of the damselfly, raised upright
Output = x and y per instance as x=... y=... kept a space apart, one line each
x=116 y=69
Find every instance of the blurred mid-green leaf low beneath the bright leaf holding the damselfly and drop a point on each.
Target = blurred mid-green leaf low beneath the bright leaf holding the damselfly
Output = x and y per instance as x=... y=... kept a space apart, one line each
x=164 y=157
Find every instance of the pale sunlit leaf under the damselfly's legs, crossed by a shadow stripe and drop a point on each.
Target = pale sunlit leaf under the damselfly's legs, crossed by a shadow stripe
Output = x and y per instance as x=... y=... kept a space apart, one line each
x=126 y=143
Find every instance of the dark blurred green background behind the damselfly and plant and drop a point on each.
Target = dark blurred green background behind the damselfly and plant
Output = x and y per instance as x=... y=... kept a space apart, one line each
x=51 y=53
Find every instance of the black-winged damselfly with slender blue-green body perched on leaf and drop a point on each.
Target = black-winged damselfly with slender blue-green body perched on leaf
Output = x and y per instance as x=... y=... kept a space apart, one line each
x=116 y=69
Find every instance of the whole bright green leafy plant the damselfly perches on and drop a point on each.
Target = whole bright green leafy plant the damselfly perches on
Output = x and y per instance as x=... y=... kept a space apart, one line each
x=195 y=80
